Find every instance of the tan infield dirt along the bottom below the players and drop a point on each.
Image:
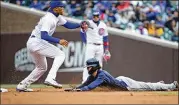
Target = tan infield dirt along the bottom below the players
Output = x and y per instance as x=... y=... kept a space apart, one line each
x=58 y=96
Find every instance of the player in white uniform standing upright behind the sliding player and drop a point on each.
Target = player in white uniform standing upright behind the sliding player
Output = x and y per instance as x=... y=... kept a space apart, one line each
x=94 y=33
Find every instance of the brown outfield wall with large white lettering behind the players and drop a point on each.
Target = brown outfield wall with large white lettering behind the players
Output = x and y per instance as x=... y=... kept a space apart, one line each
x=136 y=59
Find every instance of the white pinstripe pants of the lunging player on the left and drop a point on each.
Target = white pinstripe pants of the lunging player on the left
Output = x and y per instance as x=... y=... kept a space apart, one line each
x=39 y=50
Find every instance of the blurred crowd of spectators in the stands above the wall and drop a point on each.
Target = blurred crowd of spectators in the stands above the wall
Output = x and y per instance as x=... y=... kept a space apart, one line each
x=150 y=18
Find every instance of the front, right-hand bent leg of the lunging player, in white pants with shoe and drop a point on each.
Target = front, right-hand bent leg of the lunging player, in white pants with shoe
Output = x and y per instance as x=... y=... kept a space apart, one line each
x=48 y=50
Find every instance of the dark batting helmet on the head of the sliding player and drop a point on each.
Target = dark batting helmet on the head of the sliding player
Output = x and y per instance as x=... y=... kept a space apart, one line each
x=93 y=64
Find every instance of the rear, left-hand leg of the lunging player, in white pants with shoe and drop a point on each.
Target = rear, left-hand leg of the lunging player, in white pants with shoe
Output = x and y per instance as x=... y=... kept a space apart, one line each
x=40 y=69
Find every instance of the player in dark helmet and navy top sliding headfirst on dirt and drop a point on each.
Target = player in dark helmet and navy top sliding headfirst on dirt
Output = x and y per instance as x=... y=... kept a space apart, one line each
x=100 y=77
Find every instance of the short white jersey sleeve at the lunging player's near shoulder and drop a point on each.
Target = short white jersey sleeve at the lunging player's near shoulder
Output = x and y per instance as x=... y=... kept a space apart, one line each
x=47 y=24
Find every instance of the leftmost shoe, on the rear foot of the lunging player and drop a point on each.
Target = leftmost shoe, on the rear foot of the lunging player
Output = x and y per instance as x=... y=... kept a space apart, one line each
x=23 y=88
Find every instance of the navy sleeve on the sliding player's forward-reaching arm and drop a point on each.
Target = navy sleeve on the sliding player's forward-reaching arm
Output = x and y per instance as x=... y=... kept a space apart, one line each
x=93 y=84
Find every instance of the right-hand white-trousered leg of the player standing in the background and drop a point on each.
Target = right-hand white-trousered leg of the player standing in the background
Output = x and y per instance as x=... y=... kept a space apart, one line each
x=99 y=54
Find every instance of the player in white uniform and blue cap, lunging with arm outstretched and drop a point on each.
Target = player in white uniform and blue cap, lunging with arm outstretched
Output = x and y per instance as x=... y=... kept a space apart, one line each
x=39 y=47
